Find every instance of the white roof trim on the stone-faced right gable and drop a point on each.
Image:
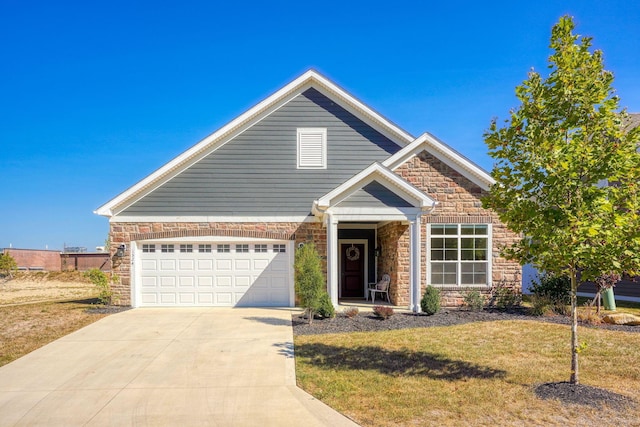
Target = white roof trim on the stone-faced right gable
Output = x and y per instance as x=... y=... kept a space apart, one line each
x=445 y=154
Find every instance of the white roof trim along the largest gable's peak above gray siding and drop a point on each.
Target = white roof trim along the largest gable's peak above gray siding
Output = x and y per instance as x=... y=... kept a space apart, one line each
x=309 y=79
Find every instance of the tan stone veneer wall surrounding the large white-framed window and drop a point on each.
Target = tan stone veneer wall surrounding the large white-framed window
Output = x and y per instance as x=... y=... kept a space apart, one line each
x=459 y=202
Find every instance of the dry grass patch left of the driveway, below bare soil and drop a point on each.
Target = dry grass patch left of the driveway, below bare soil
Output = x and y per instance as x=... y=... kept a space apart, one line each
x=25 y=328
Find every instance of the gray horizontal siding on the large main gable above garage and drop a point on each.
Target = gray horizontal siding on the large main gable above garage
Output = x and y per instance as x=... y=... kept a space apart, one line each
x=256 y=173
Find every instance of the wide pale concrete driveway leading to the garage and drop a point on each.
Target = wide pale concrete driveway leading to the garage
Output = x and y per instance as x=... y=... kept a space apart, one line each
x=187 y=367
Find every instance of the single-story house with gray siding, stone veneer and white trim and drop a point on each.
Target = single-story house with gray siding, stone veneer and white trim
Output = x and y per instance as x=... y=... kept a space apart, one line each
x=219 y=224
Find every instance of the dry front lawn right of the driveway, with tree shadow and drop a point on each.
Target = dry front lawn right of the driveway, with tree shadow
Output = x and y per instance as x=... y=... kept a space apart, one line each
x=473 y=374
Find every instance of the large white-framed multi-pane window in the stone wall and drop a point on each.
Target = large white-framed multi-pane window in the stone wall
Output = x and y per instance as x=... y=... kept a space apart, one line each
x=459 y=254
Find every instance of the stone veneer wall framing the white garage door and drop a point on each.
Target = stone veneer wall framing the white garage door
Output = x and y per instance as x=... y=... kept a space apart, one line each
x=124 y=233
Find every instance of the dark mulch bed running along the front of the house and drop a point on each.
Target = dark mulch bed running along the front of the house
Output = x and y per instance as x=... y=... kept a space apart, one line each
x=367 y=322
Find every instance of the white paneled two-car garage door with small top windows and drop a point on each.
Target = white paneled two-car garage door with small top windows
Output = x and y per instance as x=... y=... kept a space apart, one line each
x=224 y=274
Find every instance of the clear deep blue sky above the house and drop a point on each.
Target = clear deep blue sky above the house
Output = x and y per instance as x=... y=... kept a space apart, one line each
x=94 y=96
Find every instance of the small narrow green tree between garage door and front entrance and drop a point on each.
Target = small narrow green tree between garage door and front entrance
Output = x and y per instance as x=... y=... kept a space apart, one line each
x=309 y=280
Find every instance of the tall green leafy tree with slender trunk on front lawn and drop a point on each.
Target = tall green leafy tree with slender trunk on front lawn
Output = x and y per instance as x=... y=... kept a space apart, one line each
x=567 y=175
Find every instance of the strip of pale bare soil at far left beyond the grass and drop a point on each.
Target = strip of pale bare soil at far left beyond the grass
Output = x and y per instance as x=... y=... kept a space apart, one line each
x=39 y=287
